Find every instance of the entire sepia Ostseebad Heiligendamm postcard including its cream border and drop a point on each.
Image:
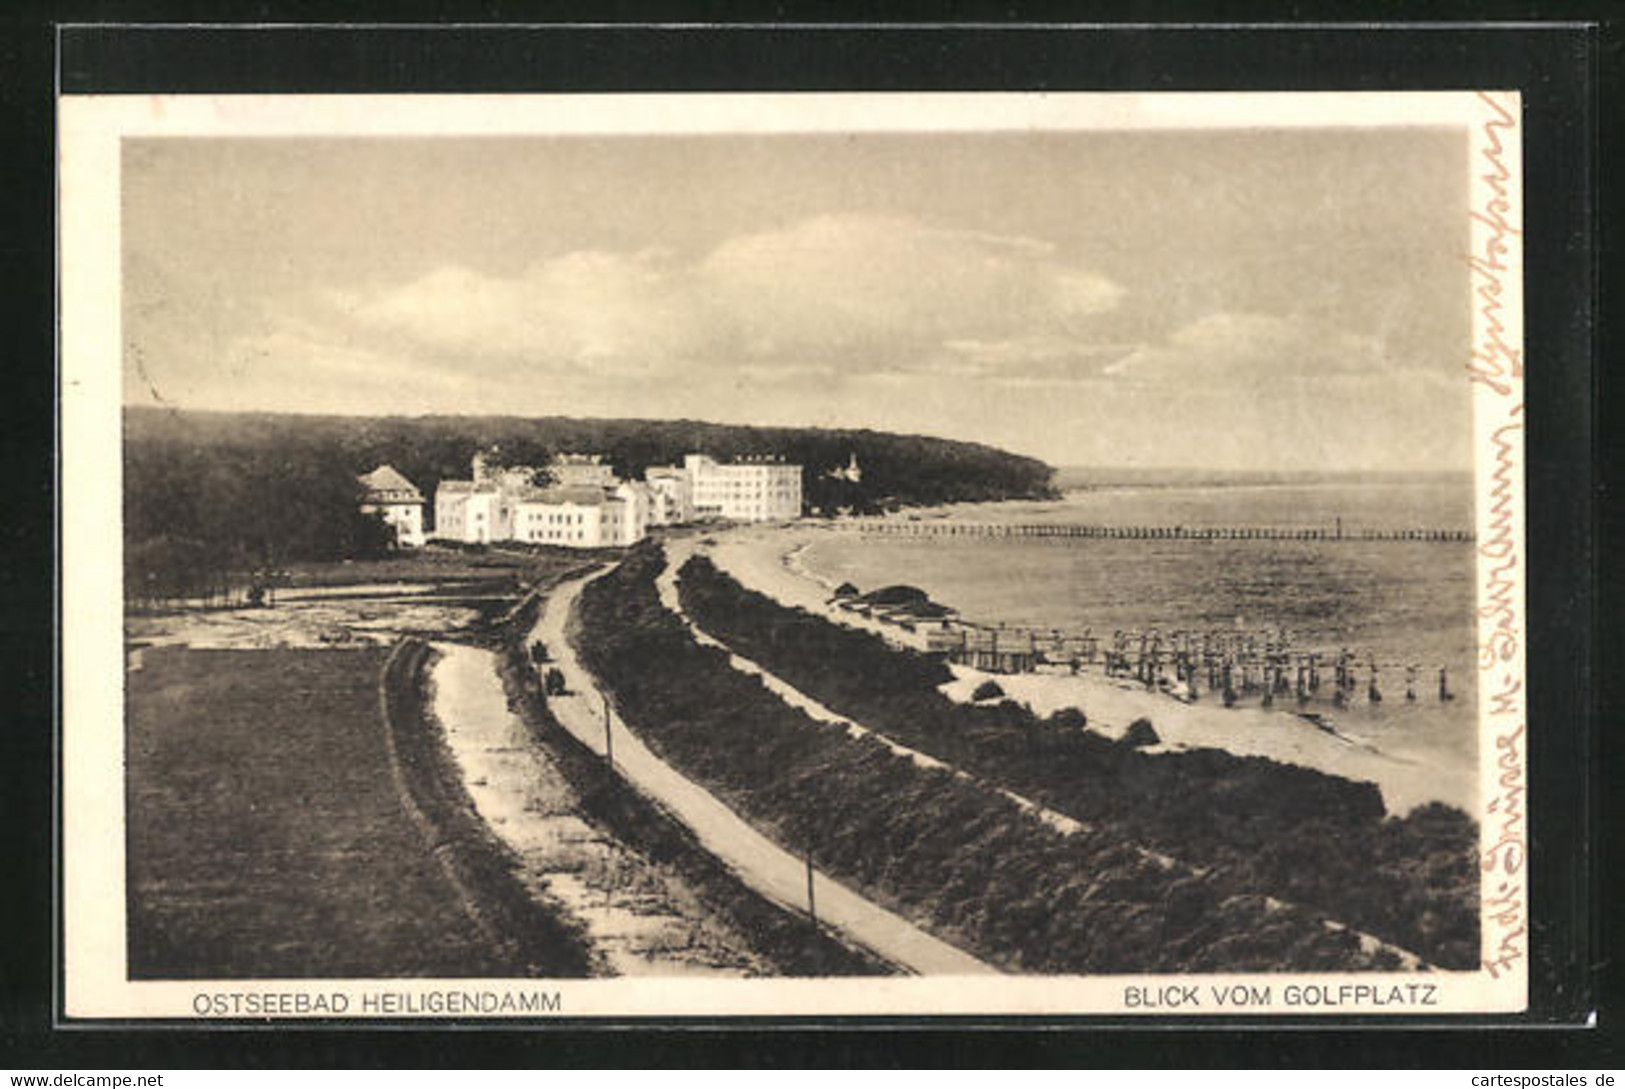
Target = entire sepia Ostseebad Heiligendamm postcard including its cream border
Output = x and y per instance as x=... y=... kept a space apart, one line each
x=709 y=555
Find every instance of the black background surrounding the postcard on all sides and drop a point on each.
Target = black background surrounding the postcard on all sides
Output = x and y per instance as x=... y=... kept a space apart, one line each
x=1569 y=76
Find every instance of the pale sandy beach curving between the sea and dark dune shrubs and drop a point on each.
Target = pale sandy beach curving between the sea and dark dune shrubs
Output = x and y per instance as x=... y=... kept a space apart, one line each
x=763 y=558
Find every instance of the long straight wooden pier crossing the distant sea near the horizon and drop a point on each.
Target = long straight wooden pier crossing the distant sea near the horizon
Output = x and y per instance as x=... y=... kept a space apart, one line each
x=942 y=527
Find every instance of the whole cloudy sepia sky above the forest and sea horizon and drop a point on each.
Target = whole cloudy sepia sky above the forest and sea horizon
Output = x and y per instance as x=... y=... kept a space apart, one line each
x=1250 y=300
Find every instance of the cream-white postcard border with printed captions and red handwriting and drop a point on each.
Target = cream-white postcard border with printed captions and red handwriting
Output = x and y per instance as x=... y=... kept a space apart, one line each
x=93 y=854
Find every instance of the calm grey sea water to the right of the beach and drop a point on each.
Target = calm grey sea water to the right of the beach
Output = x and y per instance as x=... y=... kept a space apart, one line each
x=1398 y=602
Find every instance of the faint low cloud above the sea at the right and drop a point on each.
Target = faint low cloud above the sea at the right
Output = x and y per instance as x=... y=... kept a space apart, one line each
x=1257 y=349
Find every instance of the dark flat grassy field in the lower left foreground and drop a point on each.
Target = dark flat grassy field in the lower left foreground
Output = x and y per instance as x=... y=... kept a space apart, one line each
x=266 y=831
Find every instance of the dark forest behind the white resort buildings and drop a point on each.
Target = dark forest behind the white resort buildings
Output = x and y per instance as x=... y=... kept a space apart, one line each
x=209 y=497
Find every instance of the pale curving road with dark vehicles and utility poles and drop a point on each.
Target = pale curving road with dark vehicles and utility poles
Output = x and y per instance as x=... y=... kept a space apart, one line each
x=763 y=864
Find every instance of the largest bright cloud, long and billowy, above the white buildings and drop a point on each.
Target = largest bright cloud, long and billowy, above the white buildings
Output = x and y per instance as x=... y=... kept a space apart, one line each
x=836 y=295
